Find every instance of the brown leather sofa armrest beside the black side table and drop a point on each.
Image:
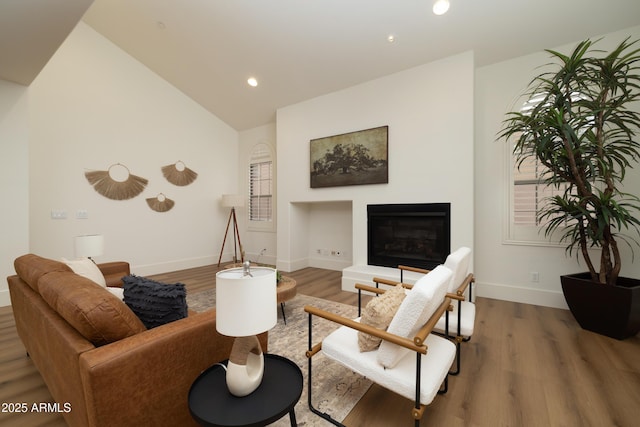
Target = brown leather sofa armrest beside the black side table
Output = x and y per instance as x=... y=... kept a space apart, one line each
x=145 y=379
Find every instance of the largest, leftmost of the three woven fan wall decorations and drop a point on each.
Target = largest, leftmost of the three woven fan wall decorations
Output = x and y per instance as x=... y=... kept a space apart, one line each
x=116 y=183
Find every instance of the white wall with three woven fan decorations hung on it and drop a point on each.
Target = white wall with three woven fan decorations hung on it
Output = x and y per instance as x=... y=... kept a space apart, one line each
x=93 y=106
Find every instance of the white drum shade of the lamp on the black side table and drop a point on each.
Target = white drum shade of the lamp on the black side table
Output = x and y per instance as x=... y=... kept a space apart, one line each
x=246 y=304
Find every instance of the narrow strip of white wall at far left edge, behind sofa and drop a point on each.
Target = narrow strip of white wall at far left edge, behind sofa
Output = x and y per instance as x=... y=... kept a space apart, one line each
x=14 y=180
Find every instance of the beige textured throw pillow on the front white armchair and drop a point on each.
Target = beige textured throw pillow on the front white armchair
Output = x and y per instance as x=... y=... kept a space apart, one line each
x=378 y=313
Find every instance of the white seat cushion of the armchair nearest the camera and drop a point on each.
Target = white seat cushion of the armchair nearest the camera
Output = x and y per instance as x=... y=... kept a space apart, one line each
x=342 y=346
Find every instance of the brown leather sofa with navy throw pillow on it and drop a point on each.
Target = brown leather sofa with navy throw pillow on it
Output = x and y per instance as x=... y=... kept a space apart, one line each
x=97 y=358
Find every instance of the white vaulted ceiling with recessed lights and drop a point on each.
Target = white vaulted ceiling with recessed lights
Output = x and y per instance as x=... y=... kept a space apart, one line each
x=301 y=49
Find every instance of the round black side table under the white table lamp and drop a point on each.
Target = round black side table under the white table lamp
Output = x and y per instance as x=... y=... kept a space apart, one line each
x=211 y=403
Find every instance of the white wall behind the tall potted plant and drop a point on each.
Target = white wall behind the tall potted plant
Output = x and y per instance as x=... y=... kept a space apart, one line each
x=503 y=270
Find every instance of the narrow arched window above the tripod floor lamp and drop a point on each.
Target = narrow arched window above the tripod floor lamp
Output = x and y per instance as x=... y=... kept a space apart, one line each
x=261 y=185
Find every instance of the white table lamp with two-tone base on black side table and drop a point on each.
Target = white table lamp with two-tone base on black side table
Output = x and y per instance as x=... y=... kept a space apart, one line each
x=246 y=305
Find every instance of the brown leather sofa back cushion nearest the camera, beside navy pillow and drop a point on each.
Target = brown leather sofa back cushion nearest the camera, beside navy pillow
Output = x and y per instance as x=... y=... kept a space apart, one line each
x=95 y=313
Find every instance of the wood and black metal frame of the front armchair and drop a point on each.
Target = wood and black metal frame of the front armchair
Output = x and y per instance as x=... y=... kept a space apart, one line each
x=417 y=345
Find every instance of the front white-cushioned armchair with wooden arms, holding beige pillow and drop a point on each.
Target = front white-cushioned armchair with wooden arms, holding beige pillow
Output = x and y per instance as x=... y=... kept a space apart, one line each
x=410 y=361
